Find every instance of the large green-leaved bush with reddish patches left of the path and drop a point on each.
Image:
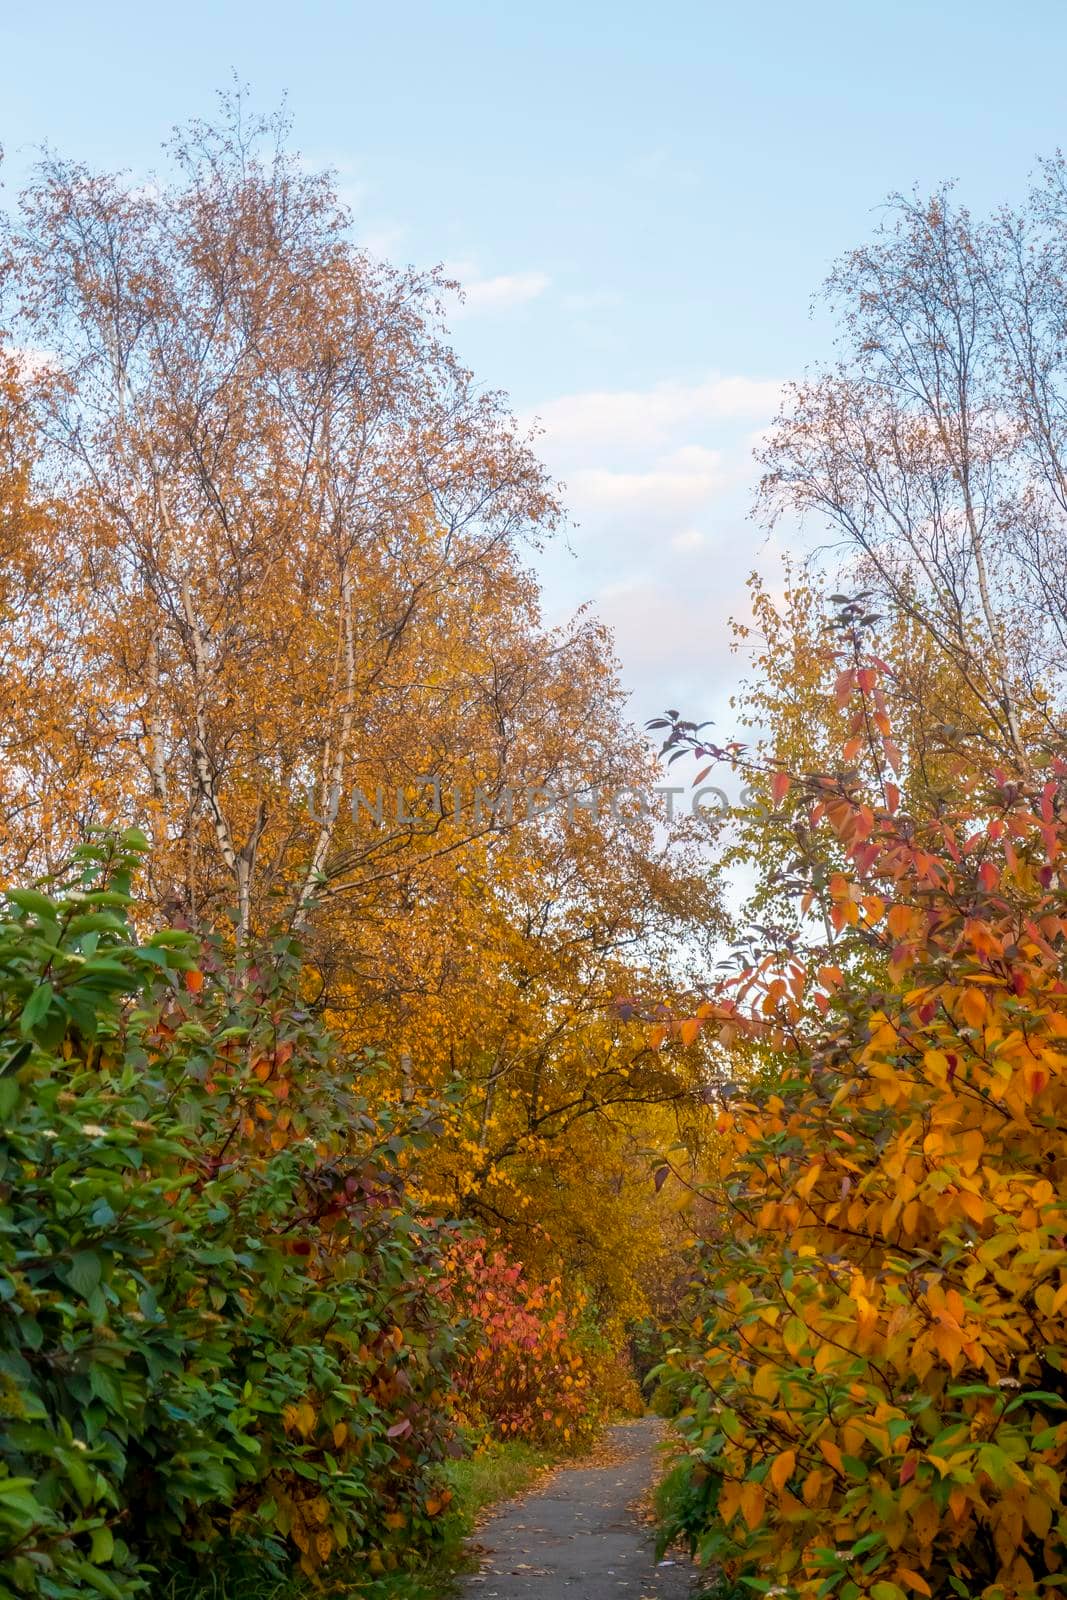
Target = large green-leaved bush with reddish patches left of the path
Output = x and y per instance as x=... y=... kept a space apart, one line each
x=218 y=1311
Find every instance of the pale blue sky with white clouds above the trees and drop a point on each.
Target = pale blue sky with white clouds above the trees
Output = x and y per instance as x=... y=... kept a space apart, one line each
x=641 y=201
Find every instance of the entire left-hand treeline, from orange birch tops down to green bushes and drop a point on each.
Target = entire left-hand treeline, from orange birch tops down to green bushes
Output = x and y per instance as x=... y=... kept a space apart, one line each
x=326 y=1137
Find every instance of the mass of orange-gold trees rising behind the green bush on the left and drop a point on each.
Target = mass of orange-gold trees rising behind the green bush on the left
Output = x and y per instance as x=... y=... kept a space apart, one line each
x=286 y=543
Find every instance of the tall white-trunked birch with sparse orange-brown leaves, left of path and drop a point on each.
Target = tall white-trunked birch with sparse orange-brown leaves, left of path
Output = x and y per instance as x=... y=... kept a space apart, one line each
x=271 y=465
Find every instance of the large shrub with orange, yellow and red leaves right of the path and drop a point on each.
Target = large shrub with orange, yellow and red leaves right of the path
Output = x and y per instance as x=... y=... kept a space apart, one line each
x=876 y=1383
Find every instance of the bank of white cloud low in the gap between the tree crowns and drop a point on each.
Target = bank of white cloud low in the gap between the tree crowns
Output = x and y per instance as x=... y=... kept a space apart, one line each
x=658 y=482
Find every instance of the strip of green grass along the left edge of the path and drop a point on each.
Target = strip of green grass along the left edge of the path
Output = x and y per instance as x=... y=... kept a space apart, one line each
x=478 y=1482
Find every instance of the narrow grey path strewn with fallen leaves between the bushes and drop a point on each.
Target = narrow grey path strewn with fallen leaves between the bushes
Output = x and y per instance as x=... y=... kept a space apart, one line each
x=581 y=1534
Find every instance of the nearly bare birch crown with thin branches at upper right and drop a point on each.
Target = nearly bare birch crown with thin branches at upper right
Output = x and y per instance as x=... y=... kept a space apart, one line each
x=933 y=455
